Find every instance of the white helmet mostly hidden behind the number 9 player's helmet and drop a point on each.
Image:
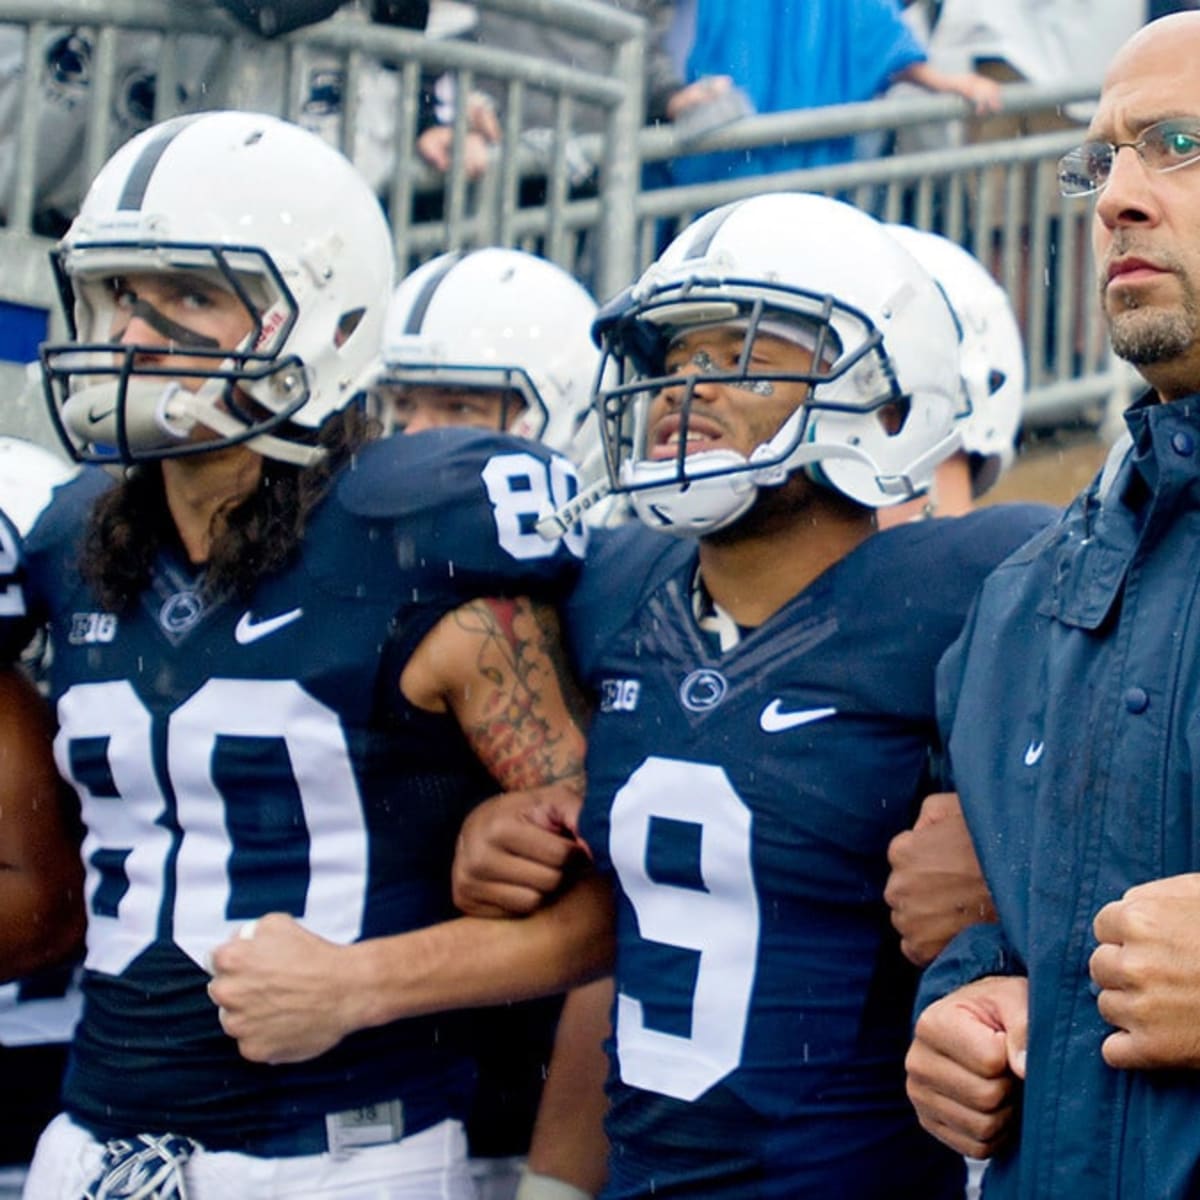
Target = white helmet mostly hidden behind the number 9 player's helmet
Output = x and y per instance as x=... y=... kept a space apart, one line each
x=992 y=353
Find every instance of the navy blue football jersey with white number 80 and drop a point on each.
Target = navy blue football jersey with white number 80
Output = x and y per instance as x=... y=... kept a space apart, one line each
x=235 y=759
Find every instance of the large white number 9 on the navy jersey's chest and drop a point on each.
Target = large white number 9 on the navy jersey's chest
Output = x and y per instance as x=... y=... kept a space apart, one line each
x=721 y=922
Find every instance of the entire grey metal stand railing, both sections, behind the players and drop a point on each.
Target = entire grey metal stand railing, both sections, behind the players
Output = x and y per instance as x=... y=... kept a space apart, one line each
x=361 y=85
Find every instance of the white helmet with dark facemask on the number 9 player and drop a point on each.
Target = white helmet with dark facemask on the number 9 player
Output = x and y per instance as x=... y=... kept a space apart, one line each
x=881 y=334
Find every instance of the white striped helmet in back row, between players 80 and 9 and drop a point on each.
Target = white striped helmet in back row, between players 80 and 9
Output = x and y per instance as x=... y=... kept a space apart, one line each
x=502 y=320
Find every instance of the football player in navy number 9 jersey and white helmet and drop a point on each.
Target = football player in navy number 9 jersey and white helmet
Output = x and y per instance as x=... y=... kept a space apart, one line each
x=764 y=683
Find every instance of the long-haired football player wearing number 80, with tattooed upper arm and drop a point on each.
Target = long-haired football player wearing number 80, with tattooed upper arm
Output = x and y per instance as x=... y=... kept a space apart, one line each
x=287 y=658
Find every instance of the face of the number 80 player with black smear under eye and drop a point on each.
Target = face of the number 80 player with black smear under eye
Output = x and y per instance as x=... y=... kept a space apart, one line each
x=175 y=313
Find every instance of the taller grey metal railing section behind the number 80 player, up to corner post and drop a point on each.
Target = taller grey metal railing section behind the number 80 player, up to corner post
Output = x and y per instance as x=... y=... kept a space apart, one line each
x=124 y=64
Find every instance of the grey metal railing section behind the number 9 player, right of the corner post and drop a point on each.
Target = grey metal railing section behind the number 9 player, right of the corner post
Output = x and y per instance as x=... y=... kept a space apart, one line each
x=1000 y=200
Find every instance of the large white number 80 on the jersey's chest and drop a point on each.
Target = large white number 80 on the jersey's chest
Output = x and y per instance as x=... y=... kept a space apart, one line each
x=105 y=749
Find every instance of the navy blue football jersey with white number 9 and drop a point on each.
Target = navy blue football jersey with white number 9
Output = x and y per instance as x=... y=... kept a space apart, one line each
x=743 y=802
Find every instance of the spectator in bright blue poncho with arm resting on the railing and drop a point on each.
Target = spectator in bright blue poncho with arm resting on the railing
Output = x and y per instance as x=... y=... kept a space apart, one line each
x=795 y=55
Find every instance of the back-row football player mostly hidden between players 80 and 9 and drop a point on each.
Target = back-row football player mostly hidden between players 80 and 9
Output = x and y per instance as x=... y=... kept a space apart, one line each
x=499 y=339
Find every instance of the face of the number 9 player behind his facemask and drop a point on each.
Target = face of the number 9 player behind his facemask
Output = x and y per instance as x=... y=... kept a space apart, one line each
x=737 y=415
